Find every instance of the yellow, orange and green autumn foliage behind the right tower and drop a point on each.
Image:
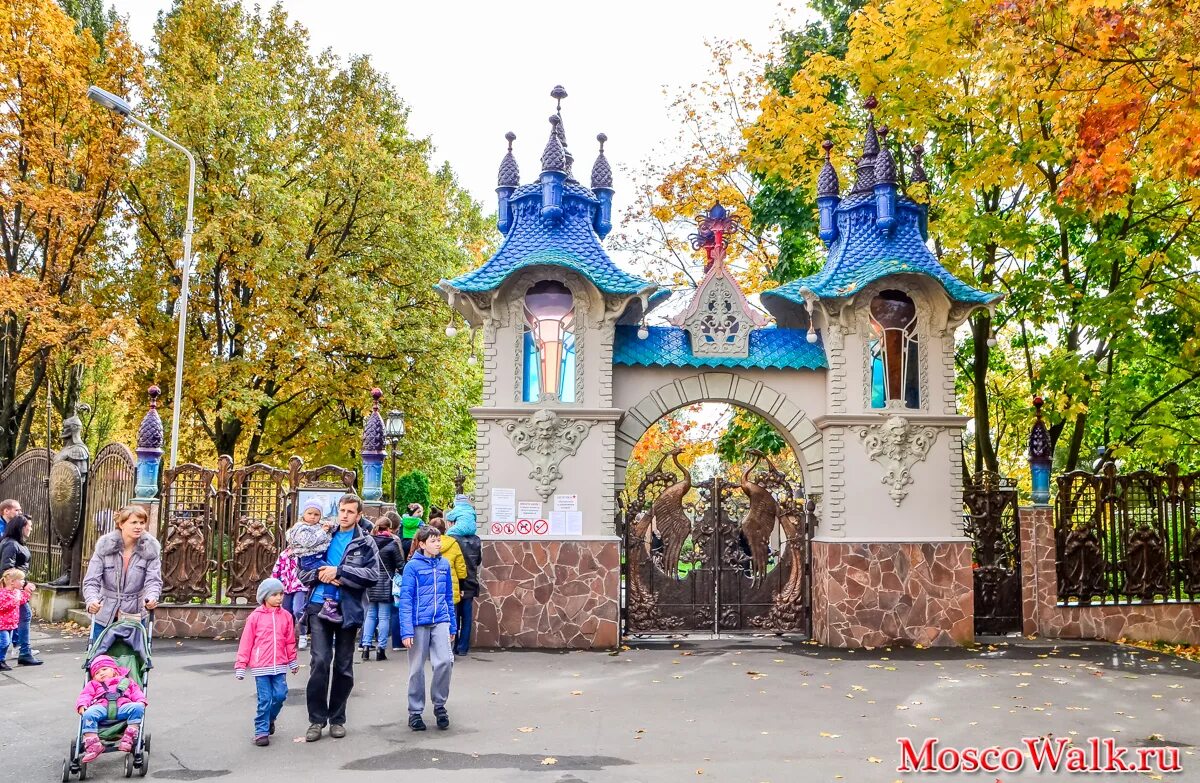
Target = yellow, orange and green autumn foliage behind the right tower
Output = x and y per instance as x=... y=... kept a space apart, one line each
x=1025 y=194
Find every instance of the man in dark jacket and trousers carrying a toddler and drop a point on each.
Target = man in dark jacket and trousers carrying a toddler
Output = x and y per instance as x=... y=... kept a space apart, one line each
x=351 y=567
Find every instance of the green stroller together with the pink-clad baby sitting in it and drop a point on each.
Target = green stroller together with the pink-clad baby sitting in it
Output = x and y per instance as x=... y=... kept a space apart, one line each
x=112 y=704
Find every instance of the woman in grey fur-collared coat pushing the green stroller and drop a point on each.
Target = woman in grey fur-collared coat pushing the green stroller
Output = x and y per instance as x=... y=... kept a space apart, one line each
x=125 y=572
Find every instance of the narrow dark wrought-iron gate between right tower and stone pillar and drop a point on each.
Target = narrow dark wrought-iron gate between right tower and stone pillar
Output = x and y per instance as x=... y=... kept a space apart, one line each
x=992 y=523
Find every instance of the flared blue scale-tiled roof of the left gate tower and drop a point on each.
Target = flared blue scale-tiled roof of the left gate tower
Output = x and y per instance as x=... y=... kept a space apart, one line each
x=572 y=243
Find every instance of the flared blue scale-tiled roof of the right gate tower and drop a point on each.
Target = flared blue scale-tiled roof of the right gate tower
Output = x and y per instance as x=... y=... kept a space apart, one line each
x=862 y=254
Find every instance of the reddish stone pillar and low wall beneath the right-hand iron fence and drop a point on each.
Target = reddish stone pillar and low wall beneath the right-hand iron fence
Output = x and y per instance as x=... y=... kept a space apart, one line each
x=1178 y=624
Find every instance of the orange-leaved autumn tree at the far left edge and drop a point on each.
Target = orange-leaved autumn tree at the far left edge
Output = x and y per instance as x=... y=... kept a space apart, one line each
x=62 y=162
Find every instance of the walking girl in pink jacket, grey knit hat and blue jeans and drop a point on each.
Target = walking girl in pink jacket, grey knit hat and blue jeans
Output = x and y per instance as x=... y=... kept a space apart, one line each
x=269 y=650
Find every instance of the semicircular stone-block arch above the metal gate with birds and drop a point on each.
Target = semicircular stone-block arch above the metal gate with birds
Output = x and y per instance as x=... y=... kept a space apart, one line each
x=791 y=422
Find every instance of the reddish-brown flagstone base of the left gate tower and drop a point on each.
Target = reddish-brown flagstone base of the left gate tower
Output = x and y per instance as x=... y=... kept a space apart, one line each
x=549 y=594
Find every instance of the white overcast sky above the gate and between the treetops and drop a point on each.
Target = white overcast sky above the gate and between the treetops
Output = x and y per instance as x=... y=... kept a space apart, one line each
x=471 y=71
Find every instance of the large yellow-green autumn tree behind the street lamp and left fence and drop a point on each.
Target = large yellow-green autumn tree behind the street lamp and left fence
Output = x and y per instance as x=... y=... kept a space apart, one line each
x=321 y=231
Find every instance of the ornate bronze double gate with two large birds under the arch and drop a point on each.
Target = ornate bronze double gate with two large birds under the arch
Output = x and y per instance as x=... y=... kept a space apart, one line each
x=718 y=557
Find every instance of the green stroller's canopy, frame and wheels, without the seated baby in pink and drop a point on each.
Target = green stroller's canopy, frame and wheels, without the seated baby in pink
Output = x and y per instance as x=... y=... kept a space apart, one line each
x=129 y=643
